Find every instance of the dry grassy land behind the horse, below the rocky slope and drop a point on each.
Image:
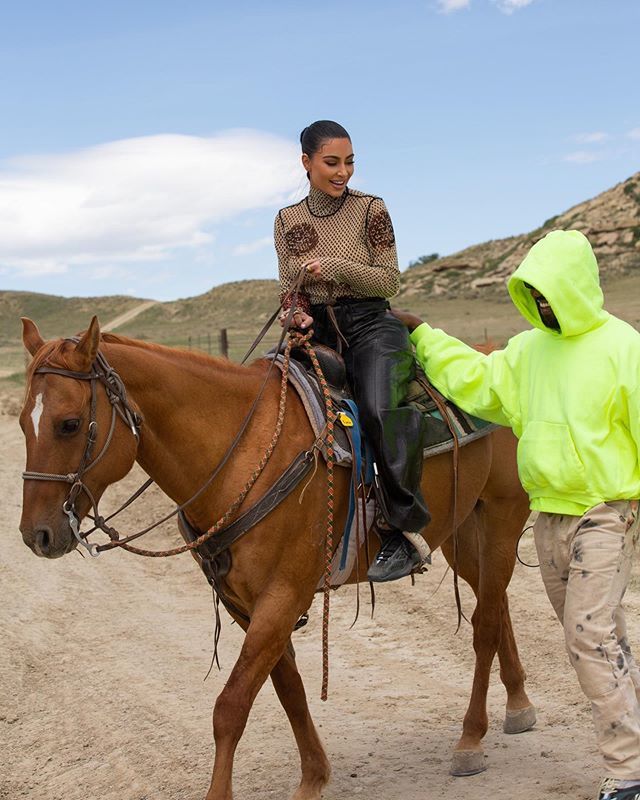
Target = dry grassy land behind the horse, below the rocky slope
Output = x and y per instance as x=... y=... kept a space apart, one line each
x=243 y=307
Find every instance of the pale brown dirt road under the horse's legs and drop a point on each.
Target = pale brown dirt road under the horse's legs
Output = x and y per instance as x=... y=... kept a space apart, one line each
x=102 y=694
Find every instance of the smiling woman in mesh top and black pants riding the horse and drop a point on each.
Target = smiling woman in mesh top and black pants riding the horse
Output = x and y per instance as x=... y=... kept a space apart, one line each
x=344 y=240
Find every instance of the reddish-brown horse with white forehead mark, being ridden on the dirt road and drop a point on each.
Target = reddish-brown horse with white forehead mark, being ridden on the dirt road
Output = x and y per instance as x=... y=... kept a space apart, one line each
x=190 y=406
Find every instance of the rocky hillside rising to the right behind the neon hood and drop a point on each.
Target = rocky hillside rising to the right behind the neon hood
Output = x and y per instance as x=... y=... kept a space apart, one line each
x=611 y=221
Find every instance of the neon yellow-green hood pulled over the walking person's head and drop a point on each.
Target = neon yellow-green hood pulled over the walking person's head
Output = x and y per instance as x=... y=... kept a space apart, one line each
x=562 y=266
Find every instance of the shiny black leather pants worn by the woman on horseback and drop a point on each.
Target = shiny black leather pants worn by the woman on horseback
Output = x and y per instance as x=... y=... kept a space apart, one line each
x=380 y=365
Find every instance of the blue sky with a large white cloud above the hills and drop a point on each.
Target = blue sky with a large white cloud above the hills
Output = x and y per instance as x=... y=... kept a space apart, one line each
x=146 y=146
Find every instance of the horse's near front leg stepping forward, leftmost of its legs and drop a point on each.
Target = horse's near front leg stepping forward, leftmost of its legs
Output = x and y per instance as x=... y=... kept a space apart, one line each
x=272 y=621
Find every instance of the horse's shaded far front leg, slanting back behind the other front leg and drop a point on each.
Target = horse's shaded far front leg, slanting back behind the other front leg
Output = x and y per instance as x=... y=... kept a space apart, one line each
x=314 y=763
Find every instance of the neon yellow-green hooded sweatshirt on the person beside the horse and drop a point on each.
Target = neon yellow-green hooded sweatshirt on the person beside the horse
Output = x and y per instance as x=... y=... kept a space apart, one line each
x=572 y=397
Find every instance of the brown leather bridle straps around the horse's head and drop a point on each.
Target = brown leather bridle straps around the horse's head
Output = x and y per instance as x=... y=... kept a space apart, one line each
x=102 y=373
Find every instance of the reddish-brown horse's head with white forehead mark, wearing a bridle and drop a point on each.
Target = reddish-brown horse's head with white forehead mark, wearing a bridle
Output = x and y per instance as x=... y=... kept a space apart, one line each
x=79 y=433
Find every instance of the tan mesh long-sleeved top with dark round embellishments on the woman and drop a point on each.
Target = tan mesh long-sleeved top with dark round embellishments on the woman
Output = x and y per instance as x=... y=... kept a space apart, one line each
x=352 y=238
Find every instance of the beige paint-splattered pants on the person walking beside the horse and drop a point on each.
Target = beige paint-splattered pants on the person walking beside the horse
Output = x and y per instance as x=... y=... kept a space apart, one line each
x=585 y=564
